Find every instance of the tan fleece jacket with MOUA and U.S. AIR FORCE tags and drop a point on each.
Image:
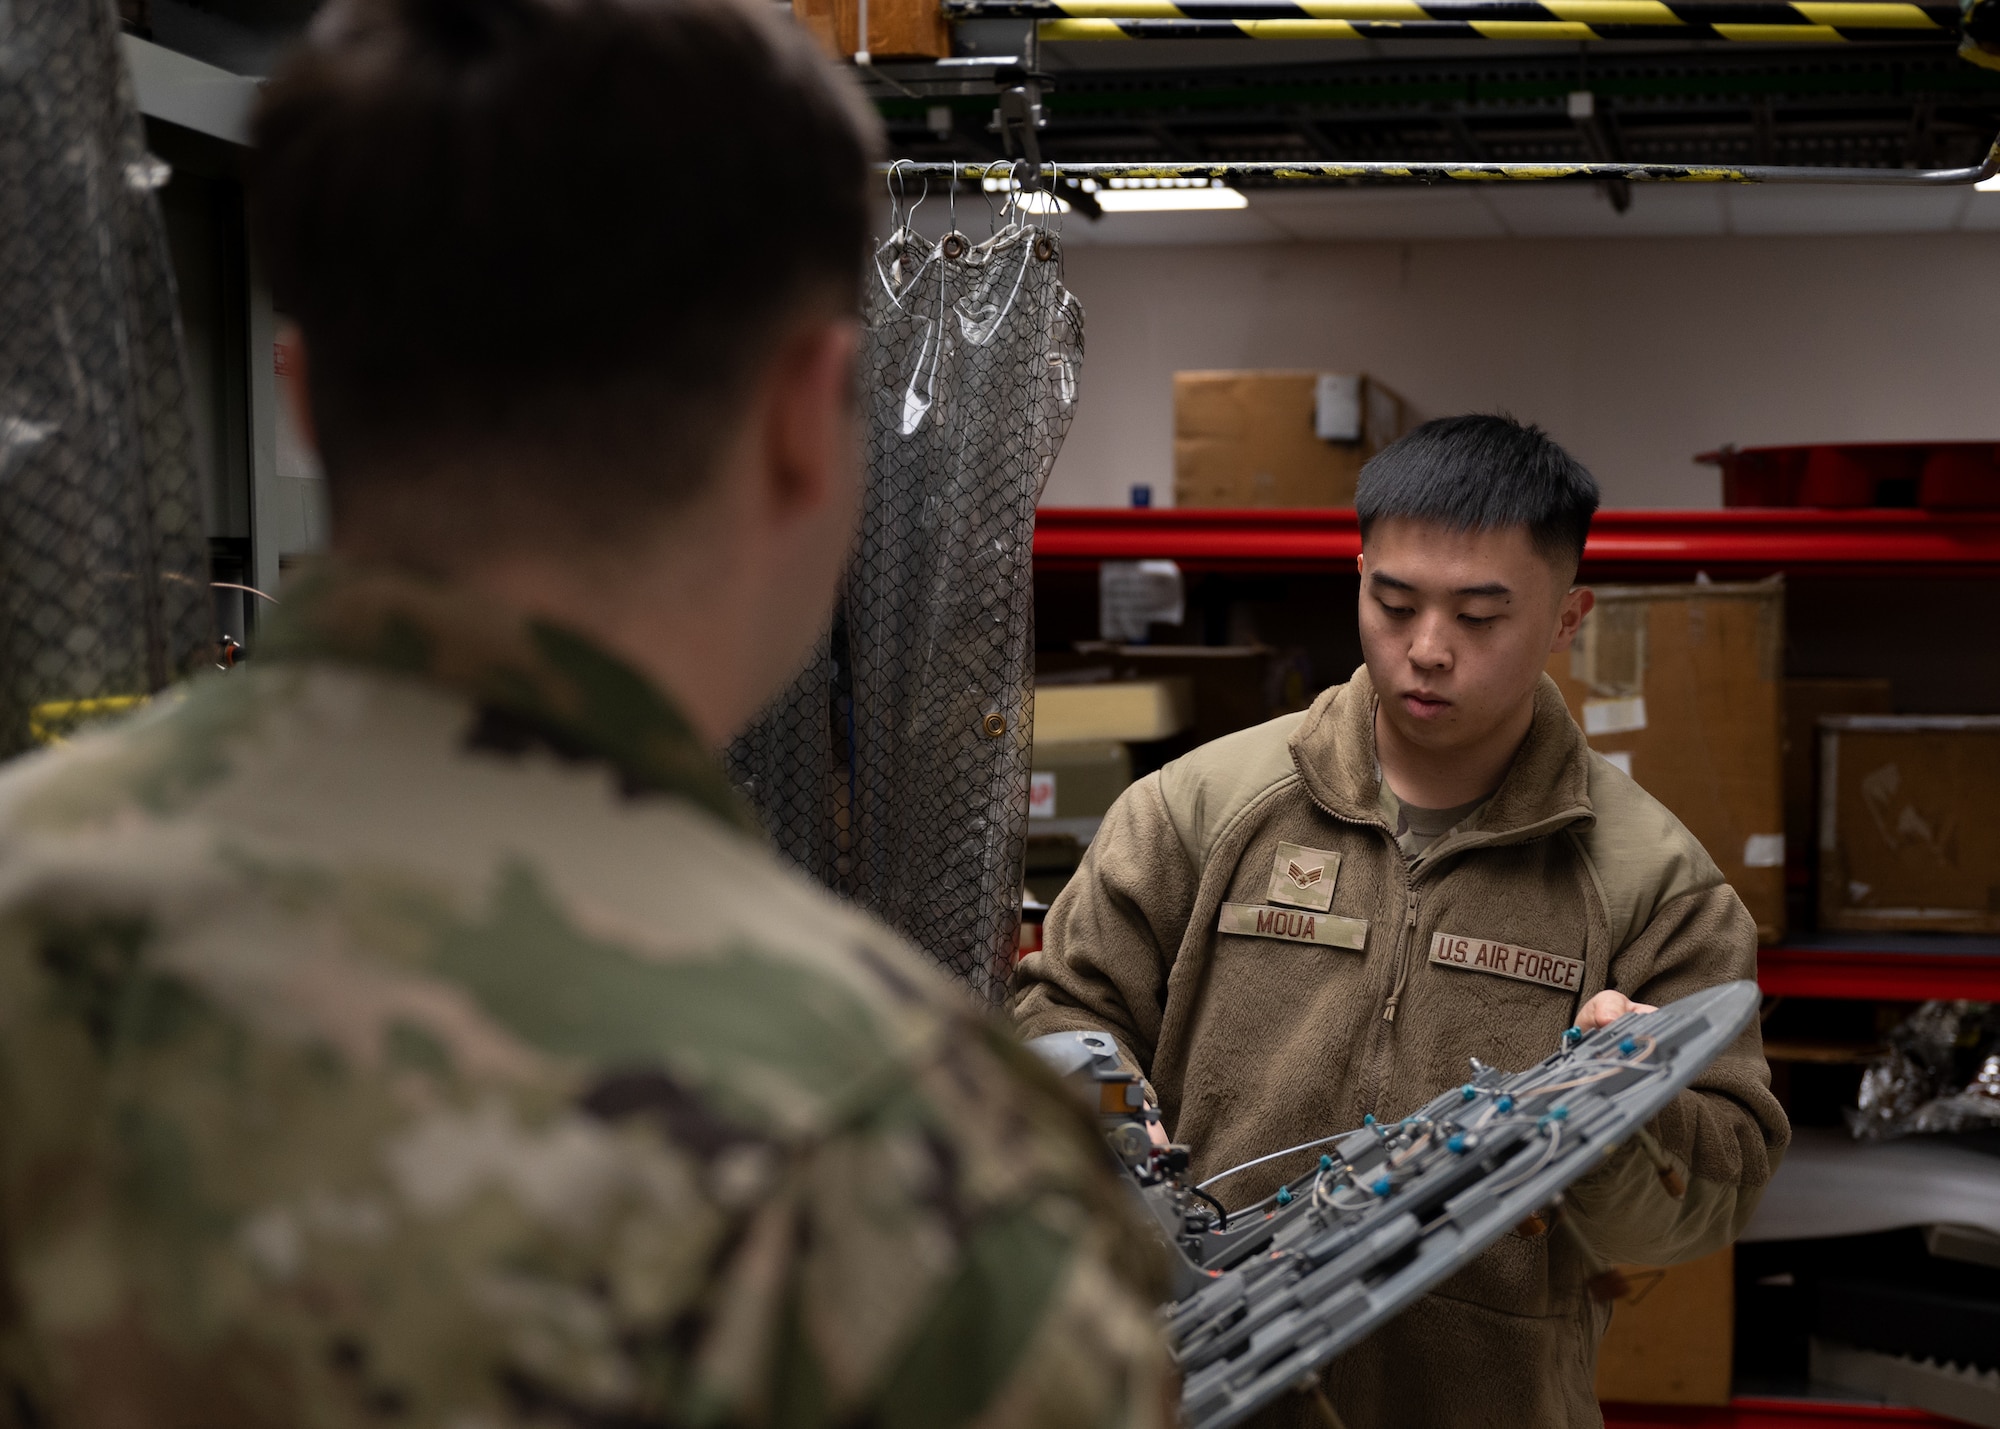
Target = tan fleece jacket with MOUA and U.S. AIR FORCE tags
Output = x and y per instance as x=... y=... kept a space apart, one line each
x=1269 y=1006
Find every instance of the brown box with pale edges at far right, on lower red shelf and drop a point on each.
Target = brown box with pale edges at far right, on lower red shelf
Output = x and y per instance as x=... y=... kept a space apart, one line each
x=1909 y=836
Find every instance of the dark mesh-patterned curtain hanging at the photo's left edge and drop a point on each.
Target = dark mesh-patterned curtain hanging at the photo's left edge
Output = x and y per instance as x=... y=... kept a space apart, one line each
x=103 y=555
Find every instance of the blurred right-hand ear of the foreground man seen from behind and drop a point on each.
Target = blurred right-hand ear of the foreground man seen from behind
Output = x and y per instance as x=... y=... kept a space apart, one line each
x=811 y=407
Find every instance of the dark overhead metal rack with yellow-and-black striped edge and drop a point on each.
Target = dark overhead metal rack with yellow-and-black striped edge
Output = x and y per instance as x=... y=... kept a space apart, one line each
x=1697 y=85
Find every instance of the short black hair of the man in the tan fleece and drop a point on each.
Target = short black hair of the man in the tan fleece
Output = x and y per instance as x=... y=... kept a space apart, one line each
x=1479 y=473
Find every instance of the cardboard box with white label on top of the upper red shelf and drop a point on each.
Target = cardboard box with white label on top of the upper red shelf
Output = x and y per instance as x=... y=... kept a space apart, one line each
x=1279 y=439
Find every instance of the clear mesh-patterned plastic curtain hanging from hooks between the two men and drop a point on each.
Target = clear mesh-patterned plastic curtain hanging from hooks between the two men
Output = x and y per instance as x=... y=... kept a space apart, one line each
x=897 y=768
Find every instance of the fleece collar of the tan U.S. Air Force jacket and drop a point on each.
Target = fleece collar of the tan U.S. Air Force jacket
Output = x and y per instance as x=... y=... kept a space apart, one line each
x=1545 y=788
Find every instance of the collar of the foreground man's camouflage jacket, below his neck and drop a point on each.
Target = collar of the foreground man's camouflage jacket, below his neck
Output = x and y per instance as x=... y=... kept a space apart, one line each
x=533 y=673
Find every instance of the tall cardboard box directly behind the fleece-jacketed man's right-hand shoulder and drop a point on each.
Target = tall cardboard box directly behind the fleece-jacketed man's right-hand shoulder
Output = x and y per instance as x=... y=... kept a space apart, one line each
x=1681 y=687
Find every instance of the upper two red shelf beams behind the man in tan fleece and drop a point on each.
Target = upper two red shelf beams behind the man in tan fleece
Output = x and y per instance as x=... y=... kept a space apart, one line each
x=1661 y=545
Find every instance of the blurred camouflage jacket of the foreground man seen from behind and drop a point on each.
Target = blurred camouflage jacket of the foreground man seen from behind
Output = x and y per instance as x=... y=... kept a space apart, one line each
x=409 y=1030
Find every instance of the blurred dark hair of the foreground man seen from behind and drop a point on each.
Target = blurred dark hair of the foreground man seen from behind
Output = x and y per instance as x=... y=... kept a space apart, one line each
x=519 y=227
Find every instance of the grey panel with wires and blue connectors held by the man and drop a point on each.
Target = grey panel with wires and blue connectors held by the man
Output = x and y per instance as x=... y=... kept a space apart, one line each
x=1269 y=1294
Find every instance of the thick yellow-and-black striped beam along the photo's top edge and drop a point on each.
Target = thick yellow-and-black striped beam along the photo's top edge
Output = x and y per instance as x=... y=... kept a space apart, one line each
x=1757 y=21
